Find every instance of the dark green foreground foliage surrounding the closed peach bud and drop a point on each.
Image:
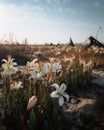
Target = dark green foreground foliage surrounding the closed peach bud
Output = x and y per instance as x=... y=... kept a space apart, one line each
x=45 y=115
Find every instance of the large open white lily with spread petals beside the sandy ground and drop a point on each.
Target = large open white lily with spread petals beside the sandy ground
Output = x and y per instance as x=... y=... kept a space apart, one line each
x=59 y=93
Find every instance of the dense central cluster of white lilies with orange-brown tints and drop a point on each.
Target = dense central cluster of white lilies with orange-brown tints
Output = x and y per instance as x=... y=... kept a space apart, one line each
x=39 y=70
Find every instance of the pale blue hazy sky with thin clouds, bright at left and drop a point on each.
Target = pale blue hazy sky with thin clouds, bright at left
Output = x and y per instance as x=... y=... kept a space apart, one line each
x=54 y=21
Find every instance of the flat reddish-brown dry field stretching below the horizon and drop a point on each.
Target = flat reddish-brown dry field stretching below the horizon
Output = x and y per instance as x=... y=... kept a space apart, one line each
x=24 y=53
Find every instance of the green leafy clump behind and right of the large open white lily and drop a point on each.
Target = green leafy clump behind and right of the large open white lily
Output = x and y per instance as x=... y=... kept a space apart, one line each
x=77 y=79
